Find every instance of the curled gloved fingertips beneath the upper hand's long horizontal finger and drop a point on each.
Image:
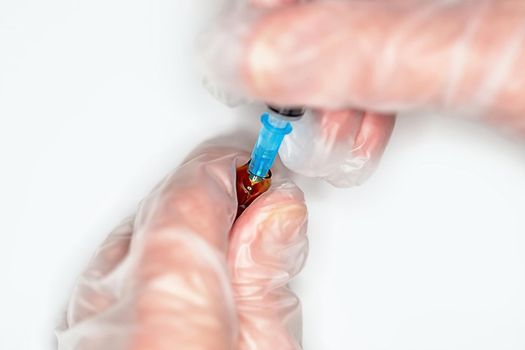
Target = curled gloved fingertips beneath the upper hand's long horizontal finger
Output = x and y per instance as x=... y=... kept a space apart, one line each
x=341 y=146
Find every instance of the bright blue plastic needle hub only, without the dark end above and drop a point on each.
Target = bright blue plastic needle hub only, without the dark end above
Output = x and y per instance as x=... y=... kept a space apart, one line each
x=267 y=147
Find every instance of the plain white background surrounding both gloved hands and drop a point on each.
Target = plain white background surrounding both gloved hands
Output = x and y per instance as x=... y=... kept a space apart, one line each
x=100 y=99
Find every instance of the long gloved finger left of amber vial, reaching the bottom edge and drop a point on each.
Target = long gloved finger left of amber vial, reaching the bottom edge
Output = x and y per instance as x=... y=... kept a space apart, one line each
x=184 y=291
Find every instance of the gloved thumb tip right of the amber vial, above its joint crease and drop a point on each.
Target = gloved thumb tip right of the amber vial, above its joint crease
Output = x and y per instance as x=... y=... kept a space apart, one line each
x=273 y=231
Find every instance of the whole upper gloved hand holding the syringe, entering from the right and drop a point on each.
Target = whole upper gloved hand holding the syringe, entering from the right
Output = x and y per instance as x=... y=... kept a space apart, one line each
x=387 y=56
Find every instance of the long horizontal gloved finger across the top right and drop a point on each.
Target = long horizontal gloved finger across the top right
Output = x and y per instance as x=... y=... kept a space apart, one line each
x=387 y=57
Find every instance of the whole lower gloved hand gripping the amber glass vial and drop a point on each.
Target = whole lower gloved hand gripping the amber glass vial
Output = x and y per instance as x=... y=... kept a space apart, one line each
x=182 y=275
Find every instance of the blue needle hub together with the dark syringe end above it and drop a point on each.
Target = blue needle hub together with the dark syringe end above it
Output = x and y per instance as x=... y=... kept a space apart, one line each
x=275 y=126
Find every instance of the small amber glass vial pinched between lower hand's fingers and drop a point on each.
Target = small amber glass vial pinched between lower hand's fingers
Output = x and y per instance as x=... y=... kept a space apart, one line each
x=248 y=188
